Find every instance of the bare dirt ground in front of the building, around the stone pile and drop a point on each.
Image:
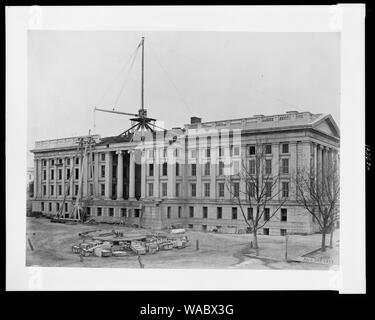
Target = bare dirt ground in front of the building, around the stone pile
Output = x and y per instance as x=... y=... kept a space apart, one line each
x=52 y=243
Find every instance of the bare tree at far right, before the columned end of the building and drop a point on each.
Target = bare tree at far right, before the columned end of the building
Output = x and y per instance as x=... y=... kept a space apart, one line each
x=319 y=195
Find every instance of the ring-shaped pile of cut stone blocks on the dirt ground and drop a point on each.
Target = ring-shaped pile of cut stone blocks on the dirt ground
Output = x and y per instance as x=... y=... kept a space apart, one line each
x=115 y=244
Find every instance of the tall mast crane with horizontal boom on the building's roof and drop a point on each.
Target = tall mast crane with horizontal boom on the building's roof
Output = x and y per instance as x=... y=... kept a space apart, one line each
x=143 y=123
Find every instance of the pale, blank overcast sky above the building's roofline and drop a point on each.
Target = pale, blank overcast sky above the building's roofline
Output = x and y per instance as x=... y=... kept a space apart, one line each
x=213 y=75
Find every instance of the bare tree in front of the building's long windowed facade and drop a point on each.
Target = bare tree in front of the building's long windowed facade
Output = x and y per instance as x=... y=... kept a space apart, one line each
x=260 y=189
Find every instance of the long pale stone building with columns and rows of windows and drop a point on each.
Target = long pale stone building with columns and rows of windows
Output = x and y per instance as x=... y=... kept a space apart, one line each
x=179 y=177
